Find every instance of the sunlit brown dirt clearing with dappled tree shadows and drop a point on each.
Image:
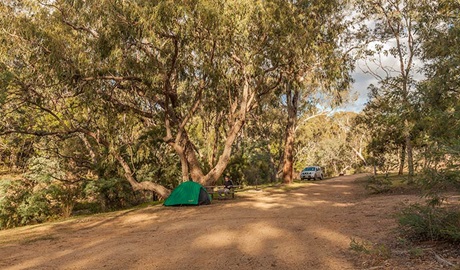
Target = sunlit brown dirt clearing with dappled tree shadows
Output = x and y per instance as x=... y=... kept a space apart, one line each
x=309 y=227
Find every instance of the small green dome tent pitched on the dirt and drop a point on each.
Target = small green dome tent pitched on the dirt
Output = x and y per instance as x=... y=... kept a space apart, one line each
x=188 y=193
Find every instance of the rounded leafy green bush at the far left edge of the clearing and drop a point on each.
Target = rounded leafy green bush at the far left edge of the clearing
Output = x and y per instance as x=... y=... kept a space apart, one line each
x=38 y=196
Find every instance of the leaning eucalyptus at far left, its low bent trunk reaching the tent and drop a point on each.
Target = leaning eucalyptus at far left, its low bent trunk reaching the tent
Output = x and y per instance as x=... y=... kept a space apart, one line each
x=55 y=86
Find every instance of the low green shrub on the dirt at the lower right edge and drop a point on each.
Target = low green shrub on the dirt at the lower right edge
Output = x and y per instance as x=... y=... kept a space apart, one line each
x=426 y=222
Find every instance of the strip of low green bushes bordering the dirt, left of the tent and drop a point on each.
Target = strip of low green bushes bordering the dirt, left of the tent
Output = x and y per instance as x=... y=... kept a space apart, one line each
x=27 y=201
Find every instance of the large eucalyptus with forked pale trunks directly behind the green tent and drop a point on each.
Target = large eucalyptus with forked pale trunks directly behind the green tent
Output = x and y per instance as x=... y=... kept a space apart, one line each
x=218 y=59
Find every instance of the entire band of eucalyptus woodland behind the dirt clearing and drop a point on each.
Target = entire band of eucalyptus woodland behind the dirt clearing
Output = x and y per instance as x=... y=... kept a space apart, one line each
x=107 y=103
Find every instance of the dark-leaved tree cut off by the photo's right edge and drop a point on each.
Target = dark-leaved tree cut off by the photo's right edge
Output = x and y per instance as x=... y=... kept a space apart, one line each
x=440 y=90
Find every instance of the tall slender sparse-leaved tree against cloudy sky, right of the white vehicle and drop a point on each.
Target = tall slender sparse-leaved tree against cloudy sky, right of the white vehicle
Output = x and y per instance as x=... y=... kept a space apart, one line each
x=395 y=33
